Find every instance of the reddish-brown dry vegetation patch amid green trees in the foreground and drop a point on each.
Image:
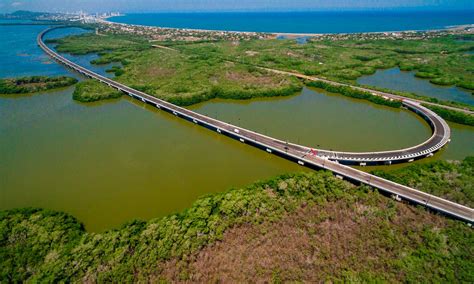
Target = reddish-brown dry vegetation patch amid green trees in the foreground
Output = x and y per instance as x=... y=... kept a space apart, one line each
x=314 y=244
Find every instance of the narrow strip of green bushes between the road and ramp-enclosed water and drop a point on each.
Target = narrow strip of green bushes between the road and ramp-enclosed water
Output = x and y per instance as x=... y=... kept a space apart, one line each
x=350 y=92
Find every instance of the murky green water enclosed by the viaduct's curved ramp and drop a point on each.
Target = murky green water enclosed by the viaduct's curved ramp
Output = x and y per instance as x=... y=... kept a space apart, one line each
x=322 y=120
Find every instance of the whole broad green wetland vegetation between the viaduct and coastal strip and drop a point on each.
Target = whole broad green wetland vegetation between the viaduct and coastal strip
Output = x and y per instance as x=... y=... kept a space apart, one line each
x=204 y=70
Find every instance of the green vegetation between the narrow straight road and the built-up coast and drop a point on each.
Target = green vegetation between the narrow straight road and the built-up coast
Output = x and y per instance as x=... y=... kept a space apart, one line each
x=442 y=60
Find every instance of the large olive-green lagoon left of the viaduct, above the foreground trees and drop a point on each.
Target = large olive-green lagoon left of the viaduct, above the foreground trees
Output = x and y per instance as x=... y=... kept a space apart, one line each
x=117 y=161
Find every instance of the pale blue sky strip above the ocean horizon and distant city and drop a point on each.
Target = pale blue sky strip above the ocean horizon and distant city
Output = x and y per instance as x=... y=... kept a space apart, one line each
x=228 y=5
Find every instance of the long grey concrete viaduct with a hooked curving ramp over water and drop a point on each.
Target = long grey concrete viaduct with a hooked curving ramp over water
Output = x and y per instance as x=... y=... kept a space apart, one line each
x=306 y=156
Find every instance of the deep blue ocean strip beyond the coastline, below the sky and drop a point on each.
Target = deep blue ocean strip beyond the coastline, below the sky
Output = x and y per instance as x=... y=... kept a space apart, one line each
x=303 y=22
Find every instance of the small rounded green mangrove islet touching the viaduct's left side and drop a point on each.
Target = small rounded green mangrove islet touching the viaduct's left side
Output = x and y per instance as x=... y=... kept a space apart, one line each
x=92 y=90
